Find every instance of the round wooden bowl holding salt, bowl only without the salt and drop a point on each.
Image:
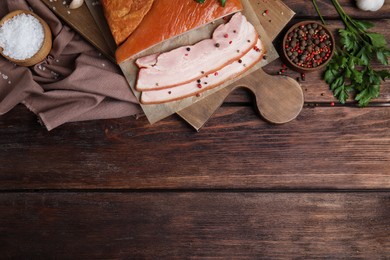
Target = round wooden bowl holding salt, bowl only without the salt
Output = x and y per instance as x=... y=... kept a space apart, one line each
x=46 y=45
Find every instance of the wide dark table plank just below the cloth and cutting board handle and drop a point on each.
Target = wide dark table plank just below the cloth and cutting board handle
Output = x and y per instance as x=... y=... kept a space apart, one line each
x=325 y=147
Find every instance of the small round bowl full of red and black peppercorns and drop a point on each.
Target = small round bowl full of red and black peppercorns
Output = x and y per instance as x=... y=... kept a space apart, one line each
x=308 y=46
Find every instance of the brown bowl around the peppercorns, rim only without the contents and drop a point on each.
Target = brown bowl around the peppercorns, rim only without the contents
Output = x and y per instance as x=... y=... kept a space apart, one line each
x=293 y=65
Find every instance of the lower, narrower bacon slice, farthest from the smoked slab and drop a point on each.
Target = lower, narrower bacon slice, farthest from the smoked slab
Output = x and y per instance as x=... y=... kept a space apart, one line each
x=207 y=82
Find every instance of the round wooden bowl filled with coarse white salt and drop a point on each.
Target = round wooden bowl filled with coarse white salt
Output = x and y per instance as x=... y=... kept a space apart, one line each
x=25 y=39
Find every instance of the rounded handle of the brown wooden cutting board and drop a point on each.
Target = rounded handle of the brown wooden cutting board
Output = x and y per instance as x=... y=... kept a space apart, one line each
x=279 y=98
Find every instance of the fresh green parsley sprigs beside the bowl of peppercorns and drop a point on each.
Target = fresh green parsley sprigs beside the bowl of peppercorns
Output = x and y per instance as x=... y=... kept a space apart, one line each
x=350 y=69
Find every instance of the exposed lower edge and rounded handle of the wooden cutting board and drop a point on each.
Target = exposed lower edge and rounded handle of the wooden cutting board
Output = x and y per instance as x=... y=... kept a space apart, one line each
x=279 y=99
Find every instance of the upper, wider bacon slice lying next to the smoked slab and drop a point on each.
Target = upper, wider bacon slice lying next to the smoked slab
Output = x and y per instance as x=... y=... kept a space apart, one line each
x=230 y=42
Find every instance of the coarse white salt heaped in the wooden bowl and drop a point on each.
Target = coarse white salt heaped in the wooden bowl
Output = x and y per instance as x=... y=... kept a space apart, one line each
x=21 y=36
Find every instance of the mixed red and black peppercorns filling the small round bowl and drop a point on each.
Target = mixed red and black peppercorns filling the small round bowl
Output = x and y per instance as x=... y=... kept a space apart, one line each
x=308 y=45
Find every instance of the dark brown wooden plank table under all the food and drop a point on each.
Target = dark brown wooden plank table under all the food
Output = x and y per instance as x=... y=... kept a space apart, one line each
x=317 y=187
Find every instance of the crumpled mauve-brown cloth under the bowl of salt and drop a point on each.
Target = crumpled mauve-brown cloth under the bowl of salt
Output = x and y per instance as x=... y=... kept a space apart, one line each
x=74 y=83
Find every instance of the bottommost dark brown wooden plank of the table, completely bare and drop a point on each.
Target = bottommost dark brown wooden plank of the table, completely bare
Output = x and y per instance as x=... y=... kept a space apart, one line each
x=195 y=225
